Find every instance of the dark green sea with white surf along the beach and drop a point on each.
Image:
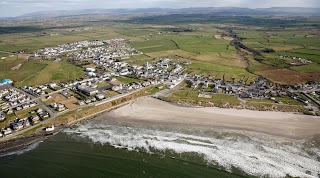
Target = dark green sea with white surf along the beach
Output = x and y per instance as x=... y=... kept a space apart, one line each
x=111 y=147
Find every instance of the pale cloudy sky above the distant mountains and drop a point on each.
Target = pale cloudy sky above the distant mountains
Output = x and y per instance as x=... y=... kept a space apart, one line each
x=11 y=8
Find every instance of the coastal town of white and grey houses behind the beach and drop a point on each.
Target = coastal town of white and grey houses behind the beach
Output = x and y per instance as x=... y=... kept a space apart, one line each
x=109 y=76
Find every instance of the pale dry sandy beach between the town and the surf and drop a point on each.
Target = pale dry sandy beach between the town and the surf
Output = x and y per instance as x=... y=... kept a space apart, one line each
x=288 y=125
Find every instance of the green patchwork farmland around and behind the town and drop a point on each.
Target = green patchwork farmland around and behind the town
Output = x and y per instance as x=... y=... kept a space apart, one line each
x=208 y=45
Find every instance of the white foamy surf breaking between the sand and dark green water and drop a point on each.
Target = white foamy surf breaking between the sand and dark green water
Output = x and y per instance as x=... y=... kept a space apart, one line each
x=255 y=154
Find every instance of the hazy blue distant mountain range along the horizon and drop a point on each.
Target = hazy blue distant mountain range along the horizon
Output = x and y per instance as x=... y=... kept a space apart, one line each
x=291 y=11
